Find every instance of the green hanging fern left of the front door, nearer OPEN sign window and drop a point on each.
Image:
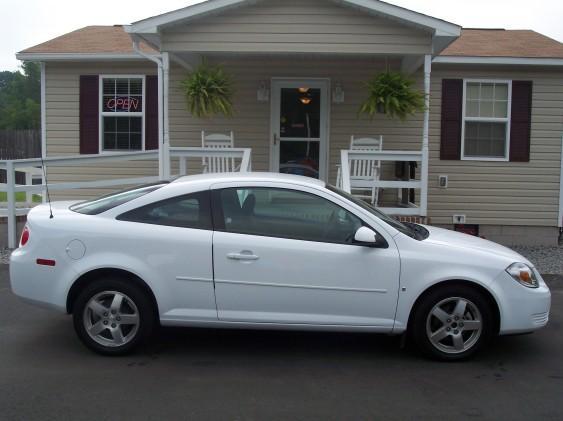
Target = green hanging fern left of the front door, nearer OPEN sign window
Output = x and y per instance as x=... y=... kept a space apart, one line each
x=208 y=91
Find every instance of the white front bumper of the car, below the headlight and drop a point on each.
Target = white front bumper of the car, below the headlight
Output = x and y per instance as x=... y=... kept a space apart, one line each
x=522 y=309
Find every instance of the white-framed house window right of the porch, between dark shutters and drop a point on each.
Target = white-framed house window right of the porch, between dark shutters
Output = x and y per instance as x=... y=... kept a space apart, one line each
x=486 y=120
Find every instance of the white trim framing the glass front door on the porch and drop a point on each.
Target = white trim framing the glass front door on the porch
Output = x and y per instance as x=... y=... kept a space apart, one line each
x=324 y=148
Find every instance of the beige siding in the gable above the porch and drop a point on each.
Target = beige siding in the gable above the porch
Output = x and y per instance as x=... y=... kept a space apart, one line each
x=297 y=26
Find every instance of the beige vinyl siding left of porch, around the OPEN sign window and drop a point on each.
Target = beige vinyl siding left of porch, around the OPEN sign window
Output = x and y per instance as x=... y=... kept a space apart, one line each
x=62 y=83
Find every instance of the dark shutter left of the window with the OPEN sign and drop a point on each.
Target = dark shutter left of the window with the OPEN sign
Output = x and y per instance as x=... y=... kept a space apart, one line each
x=89 y=114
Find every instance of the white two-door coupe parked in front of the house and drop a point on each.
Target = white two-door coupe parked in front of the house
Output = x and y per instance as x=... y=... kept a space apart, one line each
x=268 y=251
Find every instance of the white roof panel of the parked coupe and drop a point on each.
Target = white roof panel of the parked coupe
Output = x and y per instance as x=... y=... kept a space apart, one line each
x=250 y=176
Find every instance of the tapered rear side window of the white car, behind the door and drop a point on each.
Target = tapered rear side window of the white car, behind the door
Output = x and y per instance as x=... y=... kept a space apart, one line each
x=189 y=211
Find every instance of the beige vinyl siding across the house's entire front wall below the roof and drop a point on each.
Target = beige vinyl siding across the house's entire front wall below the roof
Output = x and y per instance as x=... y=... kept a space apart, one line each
x=489 y=193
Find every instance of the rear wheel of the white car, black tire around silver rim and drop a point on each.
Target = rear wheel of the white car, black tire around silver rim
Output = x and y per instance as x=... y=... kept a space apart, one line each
x=135 y=304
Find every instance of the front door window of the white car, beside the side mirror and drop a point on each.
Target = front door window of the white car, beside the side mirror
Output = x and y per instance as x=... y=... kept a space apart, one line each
x=284 y=213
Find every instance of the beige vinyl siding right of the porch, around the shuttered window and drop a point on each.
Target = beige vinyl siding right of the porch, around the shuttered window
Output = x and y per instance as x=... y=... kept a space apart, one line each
x=502 y=193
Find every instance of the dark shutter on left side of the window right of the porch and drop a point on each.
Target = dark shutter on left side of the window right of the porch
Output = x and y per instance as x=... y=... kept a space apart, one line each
x=452 y=102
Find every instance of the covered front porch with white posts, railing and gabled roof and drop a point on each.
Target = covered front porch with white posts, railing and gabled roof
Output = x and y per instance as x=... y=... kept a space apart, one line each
x=299 y=70
